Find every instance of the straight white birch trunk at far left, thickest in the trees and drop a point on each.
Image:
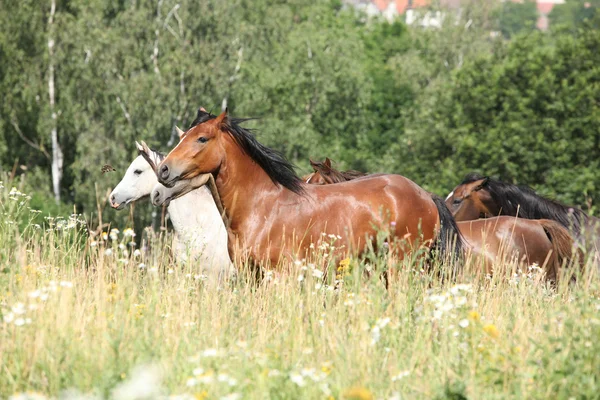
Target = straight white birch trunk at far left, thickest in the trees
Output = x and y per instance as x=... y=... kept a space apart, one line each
x=57 y=155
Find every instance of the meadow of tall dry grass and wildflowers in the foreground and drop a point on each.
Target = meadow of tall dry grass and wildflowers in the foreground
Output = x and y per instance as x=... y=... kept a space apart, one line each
x=86 y=316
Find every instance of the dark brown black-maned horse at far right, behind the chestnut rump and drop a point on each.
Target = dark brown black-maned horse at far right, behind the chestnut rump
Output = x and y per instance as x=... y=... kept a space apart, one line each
x=479 y=196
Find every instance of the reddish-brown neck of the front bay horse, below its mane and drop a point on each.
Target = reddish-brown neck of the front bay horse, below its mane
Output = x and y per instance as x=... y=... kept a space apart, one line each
x=242 y=184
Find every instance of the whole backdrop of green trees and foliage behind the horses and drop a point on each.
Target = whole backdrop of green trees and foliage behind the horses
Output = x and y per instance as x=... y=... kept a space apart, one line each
x=322 y=79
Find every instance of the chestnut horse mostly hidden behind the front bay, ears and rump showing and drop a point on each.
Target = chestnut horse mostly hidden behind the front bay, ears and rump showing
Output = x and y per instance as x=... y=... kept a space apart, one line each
x=542 y=242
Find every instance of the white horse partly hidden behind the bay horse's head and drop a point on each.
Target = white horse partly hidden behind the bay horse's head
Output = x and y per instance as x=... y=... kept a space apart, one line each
x=199 y=229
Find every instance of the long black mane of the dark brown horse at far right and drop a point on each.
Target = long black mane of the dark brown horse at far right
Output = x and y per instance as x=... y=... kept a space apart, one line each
x=523 y=201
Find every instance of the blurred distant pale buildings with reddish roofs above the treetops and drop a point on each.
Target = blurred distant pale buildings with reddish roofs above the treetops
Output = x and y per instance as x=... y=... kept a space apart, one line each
x=391 y=9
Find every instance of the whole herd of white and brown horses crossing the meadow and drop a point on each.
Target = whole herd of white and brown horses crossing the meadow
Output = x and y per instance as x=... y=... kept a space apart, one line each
x=230 y=198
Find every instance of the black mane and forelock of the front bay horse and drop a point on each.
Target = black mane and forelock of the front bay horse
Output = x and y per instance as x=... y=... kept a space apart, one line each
x=271 y=161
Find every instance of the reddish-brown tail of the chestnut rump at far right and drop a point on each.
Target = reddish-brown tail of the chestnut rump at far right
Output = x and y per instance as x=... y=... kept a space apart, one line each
x=562 y=248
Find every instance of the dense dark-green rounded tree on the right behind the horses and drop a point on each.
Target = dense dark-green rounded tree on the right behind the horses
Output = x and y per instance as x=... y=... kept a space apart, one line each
x=527 y=113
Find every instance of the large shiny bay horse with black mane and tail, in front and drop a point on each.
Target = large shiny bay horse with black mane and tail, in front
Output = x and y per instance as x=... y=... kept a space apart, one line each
x=274 y=215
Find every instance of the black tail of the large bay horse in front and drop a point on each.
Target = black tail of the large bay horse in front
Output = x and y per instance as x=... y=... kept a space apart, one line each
x=449 y=242
